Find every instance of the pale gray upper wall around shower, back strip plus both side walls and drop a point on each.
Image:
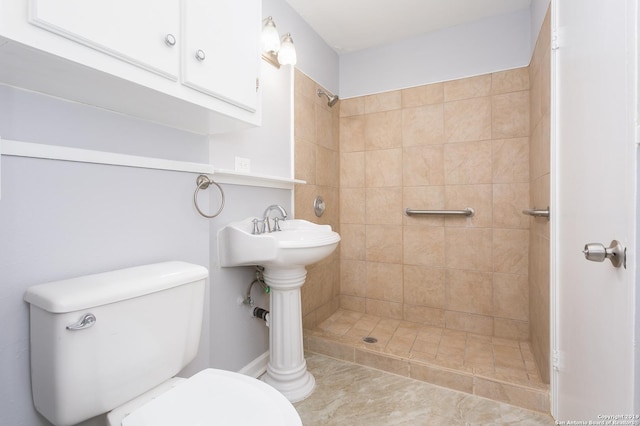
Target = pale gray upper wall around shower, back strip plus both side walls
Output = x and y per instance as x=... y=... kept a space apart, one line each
x=479 y=47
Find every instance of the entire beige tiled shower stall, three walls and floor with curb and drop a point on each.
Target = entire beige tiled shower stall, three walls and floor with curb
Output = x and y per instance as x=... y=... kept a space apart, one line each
x=459 y=302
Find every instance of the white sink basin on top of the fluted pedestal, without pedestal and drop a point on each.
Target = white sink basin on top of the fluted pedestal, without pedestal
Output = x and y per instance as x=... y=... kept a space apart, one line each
x=299 y=243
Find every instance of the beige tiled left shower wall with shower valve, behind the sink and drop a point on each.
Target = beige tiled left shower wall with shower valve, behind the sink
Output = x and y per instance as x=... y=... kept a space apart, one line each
x=317 y=161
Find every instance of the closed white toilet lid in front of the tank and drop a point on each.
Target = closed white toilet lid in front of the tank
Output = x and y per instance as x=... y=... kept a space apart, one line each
x=214 y=397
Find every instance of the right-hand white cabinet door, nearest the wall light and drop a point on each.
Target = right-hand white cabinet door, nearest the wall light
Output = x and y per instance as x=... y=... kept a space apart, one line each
x=221 y=49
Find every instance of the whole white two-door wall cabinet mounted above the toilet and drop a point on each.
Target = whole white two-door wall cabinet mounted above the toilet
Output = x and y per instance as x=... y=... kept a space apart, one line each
x=189 y=64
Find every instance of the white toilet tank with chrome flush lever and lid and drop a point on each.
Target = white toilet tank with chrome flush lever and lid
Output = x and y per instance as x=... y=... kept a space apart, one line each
x=147 y=328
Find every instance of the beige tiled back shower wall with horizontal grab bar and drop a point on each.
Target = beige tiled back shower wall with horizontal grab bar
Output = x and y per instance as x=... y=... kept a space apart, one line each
x=451 y=145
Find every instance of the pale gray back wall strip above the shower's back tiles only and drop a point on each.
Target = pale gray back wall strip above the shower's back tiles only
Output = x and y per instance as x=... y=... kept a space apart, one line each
x=475 y=48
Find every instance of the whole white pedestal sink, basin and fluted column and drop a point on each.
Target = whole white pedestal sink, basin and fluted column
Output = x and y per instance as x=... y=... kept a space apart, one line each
x=284 y=255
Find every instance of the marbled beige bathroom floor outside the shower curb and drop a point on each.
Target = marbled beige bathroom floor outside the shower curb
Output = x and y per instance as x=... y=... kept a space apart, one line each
x=348 y=394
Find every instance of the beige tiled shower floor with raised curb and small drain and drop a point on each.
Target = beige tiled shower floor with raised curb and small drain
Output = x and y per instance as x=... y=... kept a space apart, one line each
x=500 y=369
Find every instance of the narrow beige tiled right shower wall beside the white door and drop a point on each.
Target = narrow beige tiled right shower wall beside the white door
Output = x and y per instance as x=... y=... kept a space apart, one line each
x=540 y=78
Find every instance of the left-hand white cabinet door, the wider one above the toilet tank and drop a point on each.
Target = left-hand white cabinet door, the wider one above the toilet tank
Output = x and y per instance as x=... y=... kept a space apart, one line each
x=133 y=31
